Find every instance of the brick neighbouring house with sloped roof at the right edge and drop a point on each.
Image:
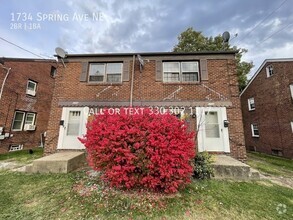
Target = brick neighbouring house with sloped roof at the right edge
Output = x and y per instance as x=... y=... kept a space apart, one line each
x=267 y=108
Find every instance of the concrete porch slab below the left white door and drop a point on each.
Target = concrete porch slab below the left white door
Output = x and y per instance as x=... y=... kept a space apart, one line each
x=61 y=162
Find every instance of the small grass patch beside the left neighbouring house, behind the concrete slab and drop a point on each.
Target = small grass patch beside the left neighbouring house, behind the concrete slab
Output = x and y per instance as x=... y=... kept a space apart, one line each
x=22 y=156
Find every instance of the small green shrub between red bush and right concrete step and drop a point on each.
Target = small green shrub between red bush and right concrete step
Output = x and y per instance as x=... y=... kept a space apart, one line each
x=203 y=166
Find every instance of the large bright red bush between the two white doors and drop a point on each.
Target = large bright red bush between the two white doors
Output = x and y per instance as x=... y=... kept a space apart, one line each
x=148 y=150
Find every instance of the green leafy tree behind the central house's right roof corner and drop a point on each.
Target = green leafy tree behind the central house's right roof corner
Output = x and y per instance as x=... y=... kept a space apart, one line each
x=192 y=41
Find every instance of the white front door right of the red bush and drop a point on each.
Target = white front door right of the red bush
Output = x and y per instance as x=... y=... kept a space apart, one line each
x=211 y=134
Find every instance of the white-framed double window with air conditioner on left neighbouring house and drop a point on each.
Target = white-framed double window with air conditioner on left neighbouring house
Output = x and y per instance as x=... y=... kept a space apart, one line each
x=21 y=119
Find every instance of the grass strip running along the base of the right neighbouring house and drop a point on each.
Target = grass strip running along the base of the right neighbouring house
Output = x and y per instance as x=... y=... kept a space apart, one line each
x=271 y=164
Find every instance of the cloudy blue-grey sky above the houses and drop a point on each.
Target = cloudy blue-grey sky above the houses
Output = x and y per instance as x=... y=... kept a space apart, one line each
x=263 y=27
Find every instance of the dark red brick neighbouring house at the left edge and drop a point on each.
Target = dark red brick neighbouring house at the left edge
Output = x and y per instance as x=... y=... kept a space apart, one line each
x=25 y=102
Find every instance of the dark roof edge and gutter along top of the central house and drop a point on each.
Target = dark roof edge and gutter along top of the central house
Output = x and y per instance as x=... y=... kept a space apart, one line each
x=152 y=53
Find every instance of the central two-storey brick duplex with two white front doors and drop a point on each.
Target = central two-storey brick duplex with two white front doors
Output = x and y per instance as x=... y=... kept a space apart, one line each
x=203 y=84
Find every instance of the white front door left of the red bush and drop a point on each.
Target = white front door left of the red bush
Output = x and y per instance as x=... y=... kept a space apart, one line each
x=74 y=126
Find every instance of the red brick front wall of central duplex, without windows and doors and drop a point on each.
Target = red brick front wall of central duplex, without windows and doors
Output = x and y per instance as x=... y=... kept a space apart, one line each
x=217 y=87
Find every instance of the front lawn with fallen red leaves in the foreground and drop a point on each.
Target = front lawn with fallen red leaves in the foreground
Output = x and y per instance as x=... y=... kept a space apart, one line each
x=79 y=196
